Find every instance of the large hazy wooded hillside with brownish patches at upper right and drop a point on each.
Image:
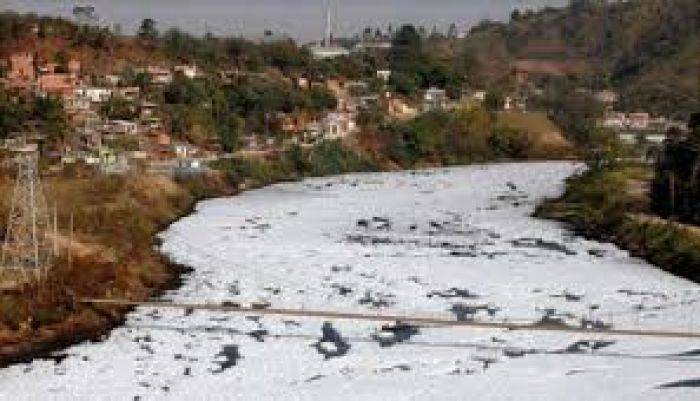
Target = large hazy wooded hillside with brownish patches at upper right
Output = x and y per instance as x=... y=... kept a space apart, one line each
x=645 y=49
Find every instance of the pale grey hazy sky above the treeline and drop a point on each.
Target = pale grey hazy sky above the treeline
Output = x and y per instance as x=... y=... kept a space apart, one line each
x=301 y=19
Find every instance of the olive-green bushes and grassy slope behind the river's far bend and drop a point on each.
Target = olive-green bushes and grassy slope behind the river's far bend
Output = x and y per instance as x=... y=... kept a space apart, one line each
x=471 y=134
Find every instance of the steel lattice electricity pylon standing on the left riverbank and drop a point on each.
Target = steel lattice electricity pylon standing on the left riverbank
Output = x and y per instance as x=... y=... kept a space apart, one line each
x=28 y=249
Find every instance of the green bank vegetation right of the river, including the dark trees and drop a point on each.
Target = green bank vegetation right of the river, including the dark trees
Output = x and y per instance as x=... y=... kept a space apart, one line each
x=632 y=205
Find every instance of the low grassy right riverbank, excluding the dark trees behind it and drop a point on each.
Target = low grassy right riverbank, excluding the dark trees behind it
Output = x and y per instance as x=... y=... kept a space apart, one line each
x=612 y=206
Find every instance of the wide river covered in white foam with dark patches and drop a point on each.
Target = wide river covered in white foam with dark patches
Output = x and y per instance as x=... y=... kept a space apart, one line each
x=458 y=243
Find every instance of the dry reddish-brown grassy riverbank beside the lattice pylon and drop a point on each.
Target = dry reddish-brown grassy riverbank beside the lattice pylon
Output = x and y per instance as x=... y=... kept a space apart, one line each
x=114 y=253
